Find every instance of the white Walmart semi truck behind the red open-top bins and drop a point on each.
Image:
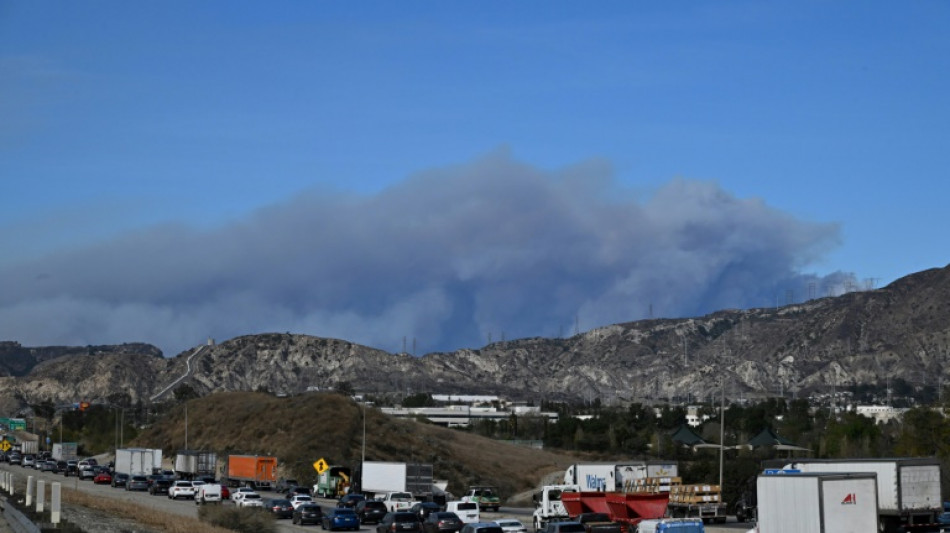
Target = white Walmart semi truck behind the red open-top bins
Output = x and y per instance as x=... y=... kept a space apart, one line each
x=619 y=476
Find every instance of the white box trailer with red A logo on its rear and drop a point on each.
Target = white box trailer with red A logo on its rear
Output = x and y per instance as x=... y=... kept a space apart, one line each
x=817 y=503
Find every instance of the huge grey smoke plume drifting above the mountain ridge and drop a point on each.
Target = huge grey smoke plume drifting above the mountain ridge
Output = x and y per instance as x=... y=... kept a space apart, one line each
x=447 y=257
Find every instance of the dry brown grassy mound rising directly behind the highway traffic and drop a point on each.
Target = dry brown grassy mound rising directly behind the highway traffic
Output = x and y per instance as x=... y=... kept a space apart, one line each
x=298 y=430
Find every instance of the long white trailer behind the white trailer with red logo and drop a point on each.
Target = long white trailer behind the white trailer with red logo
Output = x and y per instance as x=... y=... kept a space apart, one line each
x=908 y=489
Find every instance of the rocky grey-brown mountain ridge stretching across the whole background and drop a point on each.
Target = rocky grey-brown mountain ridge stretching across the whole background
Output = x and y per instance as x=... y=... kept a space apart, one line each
x=902 y=330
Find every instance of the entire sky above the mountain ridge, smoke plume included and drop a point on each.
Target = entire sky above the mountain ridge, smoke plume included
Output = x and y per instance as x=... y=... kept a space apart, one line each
x=457 y=171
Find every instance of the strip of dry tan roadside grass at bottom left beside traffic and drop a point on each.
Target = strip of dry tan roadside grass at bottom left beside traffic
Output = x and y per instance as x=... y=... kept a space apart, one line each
x=147 y=516
